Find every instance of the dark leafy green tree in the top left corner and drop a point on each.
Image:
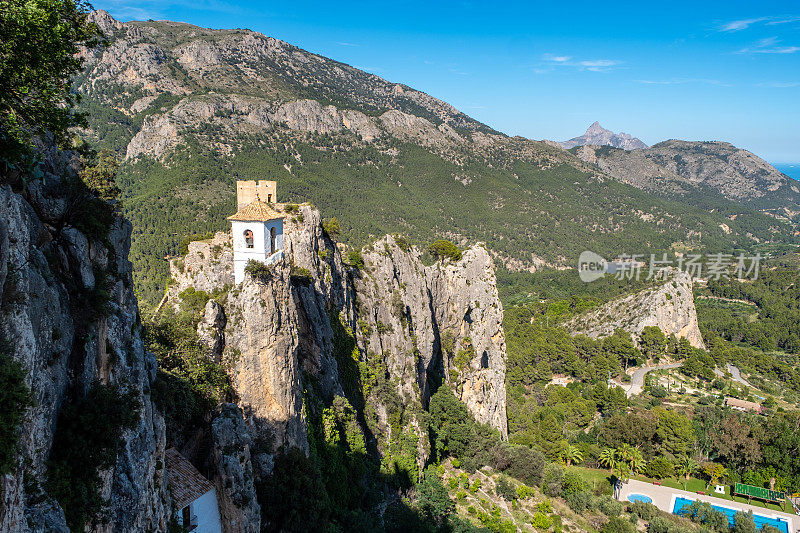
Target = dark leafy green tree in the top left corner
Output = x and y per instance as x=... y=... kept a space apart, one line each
x=39 y=45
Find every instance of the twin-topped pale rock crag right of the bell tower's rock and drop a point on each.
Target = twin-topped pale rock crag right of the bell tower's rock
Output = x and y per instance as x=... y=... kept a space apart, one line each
x=429 y=321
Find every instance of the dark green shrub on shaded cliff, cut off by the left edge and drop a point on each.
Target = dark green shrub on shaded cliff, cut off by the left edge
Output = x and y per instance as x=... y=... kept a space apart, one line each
x=15 y=398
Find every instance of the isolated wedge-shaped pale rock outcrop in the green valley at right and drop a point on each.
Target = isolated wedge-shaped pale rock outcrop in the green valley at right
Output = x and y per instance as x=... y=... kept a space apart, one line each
x=668 y=305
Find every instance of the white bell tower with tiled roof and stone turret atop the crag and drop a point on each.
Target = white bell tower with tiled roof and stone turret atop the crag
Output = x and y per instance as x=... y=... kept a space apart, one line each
x=257 y=228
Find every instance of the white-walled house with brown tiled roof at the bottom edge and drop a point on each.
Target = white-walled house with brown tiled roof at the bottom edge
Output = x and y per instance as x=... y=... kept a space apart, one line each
x=194 y=497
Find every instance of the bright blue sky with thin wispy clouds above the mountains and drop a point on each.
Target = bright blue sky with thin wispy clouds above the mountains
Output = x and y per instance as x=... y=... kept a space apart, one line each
x=699 y=70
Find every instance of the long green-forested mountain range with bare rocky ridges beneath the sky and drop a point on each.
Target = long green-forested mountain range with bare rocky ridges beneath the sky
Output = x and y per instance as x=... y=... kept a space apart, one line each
x=188 y=110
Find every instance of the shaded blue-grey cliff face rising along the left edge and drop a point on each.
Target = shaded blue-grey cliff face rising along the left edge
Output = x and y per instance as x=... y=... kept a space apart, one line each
x=70 y=318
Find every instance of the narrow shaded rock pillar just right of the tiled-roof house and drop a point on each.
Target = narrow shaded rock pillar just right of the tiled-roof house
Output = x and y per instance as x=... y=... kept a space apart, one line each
x=234 y=477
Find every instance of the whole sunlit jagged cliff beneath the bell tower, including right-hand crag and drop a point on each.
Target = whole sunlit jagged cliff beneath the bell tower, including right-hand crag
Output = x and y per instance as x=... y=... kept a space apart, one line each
x=291 y=322
